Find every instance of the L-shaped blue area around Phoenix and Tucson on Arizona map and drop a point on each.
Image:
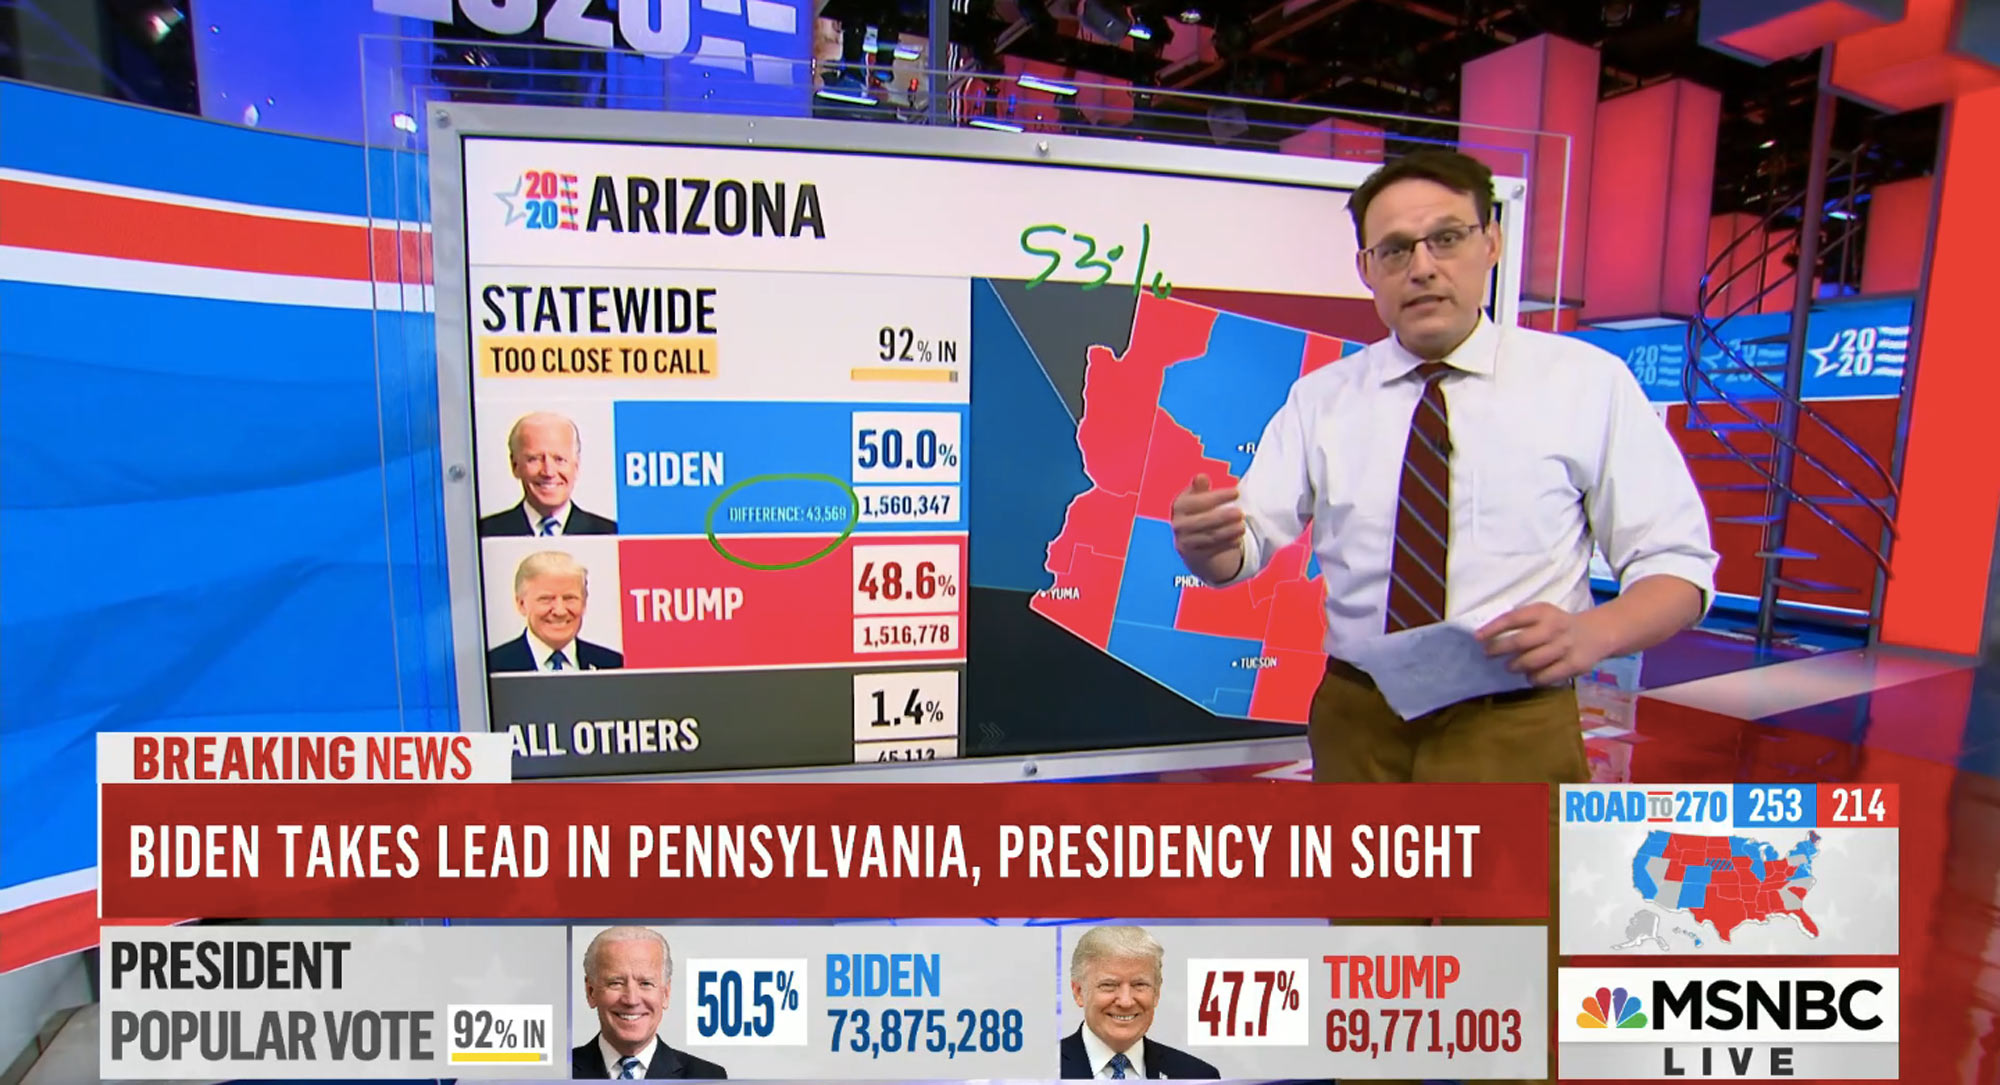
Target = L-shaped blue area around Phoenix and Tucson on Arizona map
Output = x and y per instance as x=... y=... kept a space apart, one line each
x=1205 y=670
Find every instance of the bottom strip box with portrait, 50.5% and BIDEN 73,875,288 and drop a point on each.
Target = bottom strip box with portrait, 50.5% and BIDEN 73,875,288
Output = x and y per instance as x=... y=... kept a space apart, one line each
x=823 y=1002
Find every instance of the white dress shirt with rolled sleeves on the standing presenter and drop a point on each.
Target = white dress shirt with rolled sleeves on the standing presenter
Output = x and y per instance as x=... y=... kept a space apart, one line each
x=1553 y=449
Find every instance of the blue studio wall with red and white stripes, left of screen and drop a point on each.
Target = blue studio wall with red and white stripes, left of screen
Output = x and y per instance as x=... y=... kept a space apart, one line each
x=195 y=499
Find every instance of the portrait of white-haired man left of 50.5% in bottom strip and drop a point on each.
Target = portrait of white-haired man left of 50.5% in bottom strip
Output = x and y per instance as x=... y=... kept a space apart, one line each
x=629 y=974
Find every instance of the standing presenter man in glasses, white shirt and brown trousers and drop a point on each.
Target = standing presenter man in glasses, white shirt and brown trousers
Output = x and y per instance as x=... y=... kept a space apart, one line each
x=1453 y=467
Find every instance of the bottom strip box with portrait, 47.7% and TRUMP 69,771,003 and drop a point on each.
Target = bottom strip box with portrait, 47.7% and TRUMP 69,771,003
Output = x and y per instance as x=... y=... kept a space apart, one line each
x=1325 y=1002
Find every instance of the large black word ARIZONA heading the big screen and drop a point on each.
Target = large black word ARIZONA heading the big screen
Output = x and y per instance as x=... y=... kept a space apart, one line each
x=705 y=207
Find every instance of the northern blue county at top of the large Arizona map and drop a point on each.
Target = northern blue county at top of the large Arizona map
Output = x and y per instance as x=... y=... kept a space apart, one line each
x=1229 y=395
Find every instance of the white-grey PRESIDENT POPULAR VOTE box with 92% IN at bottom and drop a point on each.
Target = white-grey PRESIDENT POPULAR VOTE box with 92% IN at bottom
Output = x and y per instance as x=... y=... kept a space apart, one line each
x=333 y=1002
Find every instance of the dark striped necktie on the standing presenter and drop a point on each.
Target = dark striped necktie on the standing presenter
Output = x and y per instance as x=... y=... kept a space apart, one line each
x=1423 y=511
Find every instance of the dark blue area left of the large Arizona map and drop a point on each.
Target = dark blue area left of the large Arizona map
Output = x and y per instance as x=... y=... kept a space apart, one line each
x=1029 y=465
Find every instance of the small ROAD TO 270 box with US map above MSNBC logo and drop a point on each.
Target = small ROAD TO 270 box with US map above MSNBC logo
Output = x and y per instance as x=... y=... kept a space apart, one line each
x=1719 y=870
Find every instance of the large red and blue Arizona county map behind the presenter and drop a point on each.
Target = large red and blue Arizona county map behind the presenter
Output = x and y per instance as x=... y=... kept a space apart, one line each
x=1191 y=393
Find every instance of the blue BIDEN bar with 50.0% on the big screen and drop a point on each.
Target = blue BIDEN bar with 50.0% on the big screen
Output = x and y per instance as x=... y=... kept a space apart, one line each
x=759 y=467
